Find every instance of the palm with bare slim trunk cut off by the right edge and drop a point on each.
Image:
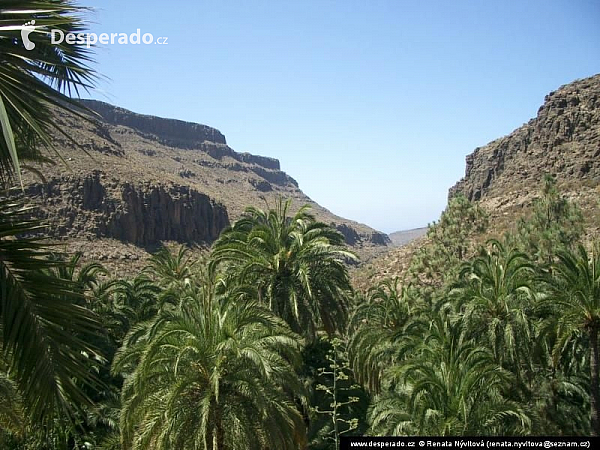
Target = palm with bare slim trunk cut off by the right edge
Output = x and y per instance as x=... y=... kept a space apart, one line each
x=574 y=301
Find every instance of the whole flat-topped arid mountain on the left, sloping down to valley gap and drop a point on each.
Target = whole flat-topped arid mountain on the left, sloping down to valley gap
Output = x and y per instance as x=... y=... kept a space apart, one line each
x=146 y=180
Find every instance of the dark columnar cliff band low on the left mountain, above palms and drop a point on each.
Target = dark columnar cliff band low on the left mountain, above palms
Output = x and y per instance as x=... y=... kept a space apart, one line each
x=97 y=206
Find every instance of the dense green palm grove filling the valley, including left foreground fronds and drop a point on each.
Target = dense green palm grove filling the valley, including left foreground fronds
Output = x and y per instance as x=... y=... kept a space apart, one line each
x=263 y=343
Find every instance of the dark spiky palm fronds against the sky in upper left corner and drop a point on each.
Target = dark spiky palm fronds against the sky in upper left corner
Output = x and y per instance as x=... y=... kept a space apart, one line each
x=36 y=81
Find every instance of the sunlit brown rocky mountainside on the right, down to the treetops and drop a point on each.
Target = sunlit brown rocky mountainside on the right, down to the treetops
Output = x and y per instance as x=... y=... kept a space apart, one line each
x=505 y=175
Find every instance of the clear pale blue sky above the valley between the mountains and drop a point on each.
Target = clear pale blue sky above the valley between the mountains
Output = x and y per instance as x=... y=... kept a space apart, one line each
x=371 y=105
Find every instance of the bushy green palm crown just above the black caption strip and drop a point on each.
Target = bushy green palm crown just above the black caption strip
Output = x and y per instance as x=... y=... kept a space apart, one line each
x=451 y=387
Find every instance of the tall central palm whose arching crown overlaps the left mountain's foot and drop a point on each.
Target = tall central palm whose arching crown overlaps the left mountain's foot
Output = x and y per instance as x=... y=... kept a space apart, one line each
x=296 y=263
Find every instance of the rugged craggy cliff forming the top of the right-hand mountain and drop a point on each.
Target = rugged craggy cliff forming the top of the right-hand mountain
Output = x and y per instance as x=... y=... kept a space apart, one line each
x=563 y=140
